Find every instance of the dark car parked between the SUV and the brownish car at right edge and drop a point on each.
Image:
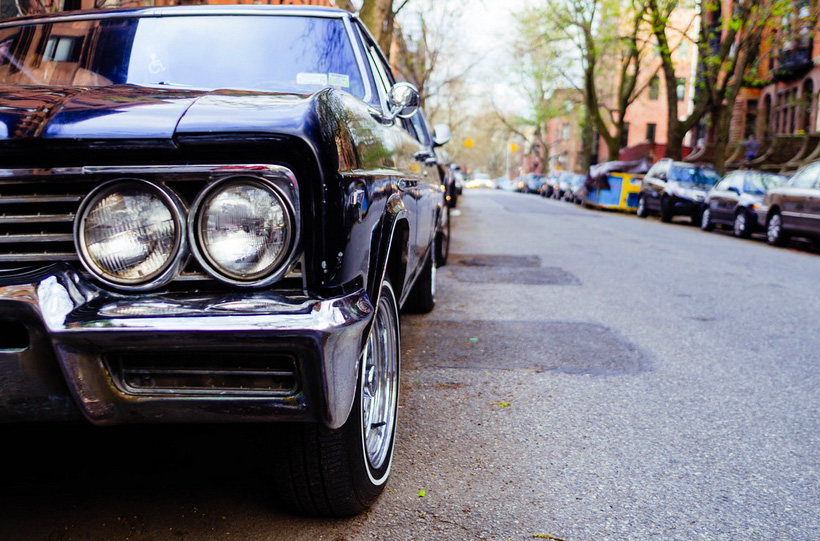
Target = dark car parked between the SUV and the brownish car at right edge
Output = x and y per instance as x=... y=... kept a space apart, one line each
x=736 y=199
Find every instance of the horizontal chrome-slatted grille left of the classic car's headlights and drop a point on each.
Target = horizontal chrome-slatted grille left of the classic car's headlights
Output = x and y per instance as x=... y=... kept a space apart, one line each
x=37 y=221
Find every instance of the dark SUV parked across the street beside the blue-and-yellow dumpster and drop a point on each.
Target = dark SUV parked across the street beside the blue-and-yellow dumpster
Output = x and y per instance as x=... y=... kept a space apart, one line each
x=673 y=188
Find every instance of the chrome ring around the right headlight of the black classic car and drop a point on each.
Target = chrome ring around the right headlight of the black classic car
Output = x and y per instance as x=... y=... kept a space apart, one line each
x=281 y=264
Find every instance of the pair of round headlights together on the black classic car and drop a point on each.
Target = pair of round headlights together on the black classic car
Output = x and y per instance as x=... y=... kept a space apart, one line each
x=134 y=234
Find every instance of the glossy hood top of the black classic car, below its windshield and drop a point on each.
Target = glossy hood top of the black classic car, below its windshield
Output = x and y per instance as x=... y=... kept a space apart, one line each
x=130 y=112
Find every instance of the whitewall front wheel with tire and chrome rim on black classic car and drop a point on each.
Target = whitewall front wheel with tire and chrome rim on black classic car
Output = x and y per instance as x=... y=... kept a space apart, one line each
x=341 y=472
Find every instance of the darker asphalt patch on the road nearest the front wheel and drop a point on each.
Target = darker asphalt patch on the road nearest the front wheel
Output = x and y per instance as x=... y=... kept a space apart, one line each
x=572 y=348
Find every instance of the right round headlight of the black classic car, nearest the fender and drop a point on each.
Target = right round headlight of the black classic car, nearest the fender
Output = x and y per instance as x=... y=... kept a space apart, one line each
x=243 y=229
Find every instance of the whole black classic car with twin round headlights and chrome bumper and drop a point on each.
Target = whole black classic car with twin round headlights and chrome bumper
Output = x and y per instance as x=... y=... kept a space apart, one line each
x=214 y=214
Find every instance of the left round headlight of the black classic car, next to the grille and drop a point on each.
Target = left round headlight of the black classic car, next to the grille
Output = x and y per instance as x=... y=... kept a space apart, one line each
x=128 y=232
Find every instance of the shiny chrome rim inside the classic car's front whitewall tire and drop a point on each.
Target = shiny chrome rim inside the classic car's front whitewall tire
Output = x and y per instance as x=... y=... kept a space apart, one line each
x=380 y=387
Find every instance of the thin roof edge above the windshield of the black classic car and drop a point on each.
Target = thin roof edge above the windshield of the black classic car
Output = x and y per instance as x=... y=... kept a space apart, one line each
x=168 y=11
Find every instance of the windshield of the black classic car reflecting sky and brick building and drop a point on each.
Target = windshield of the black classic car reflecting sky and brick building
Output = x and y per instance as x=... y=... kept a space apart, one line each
x=270 y=53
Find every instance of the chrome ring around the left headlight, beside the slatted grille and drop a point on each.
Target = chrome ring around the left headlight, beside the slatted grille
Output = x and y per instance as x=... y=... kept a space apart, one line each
x=179 y=253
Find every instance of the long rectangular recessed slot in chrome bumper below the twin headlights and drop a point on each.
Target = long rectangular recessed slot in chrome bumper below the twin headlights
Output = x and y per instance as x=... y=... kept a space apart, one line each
x=204 y=373
